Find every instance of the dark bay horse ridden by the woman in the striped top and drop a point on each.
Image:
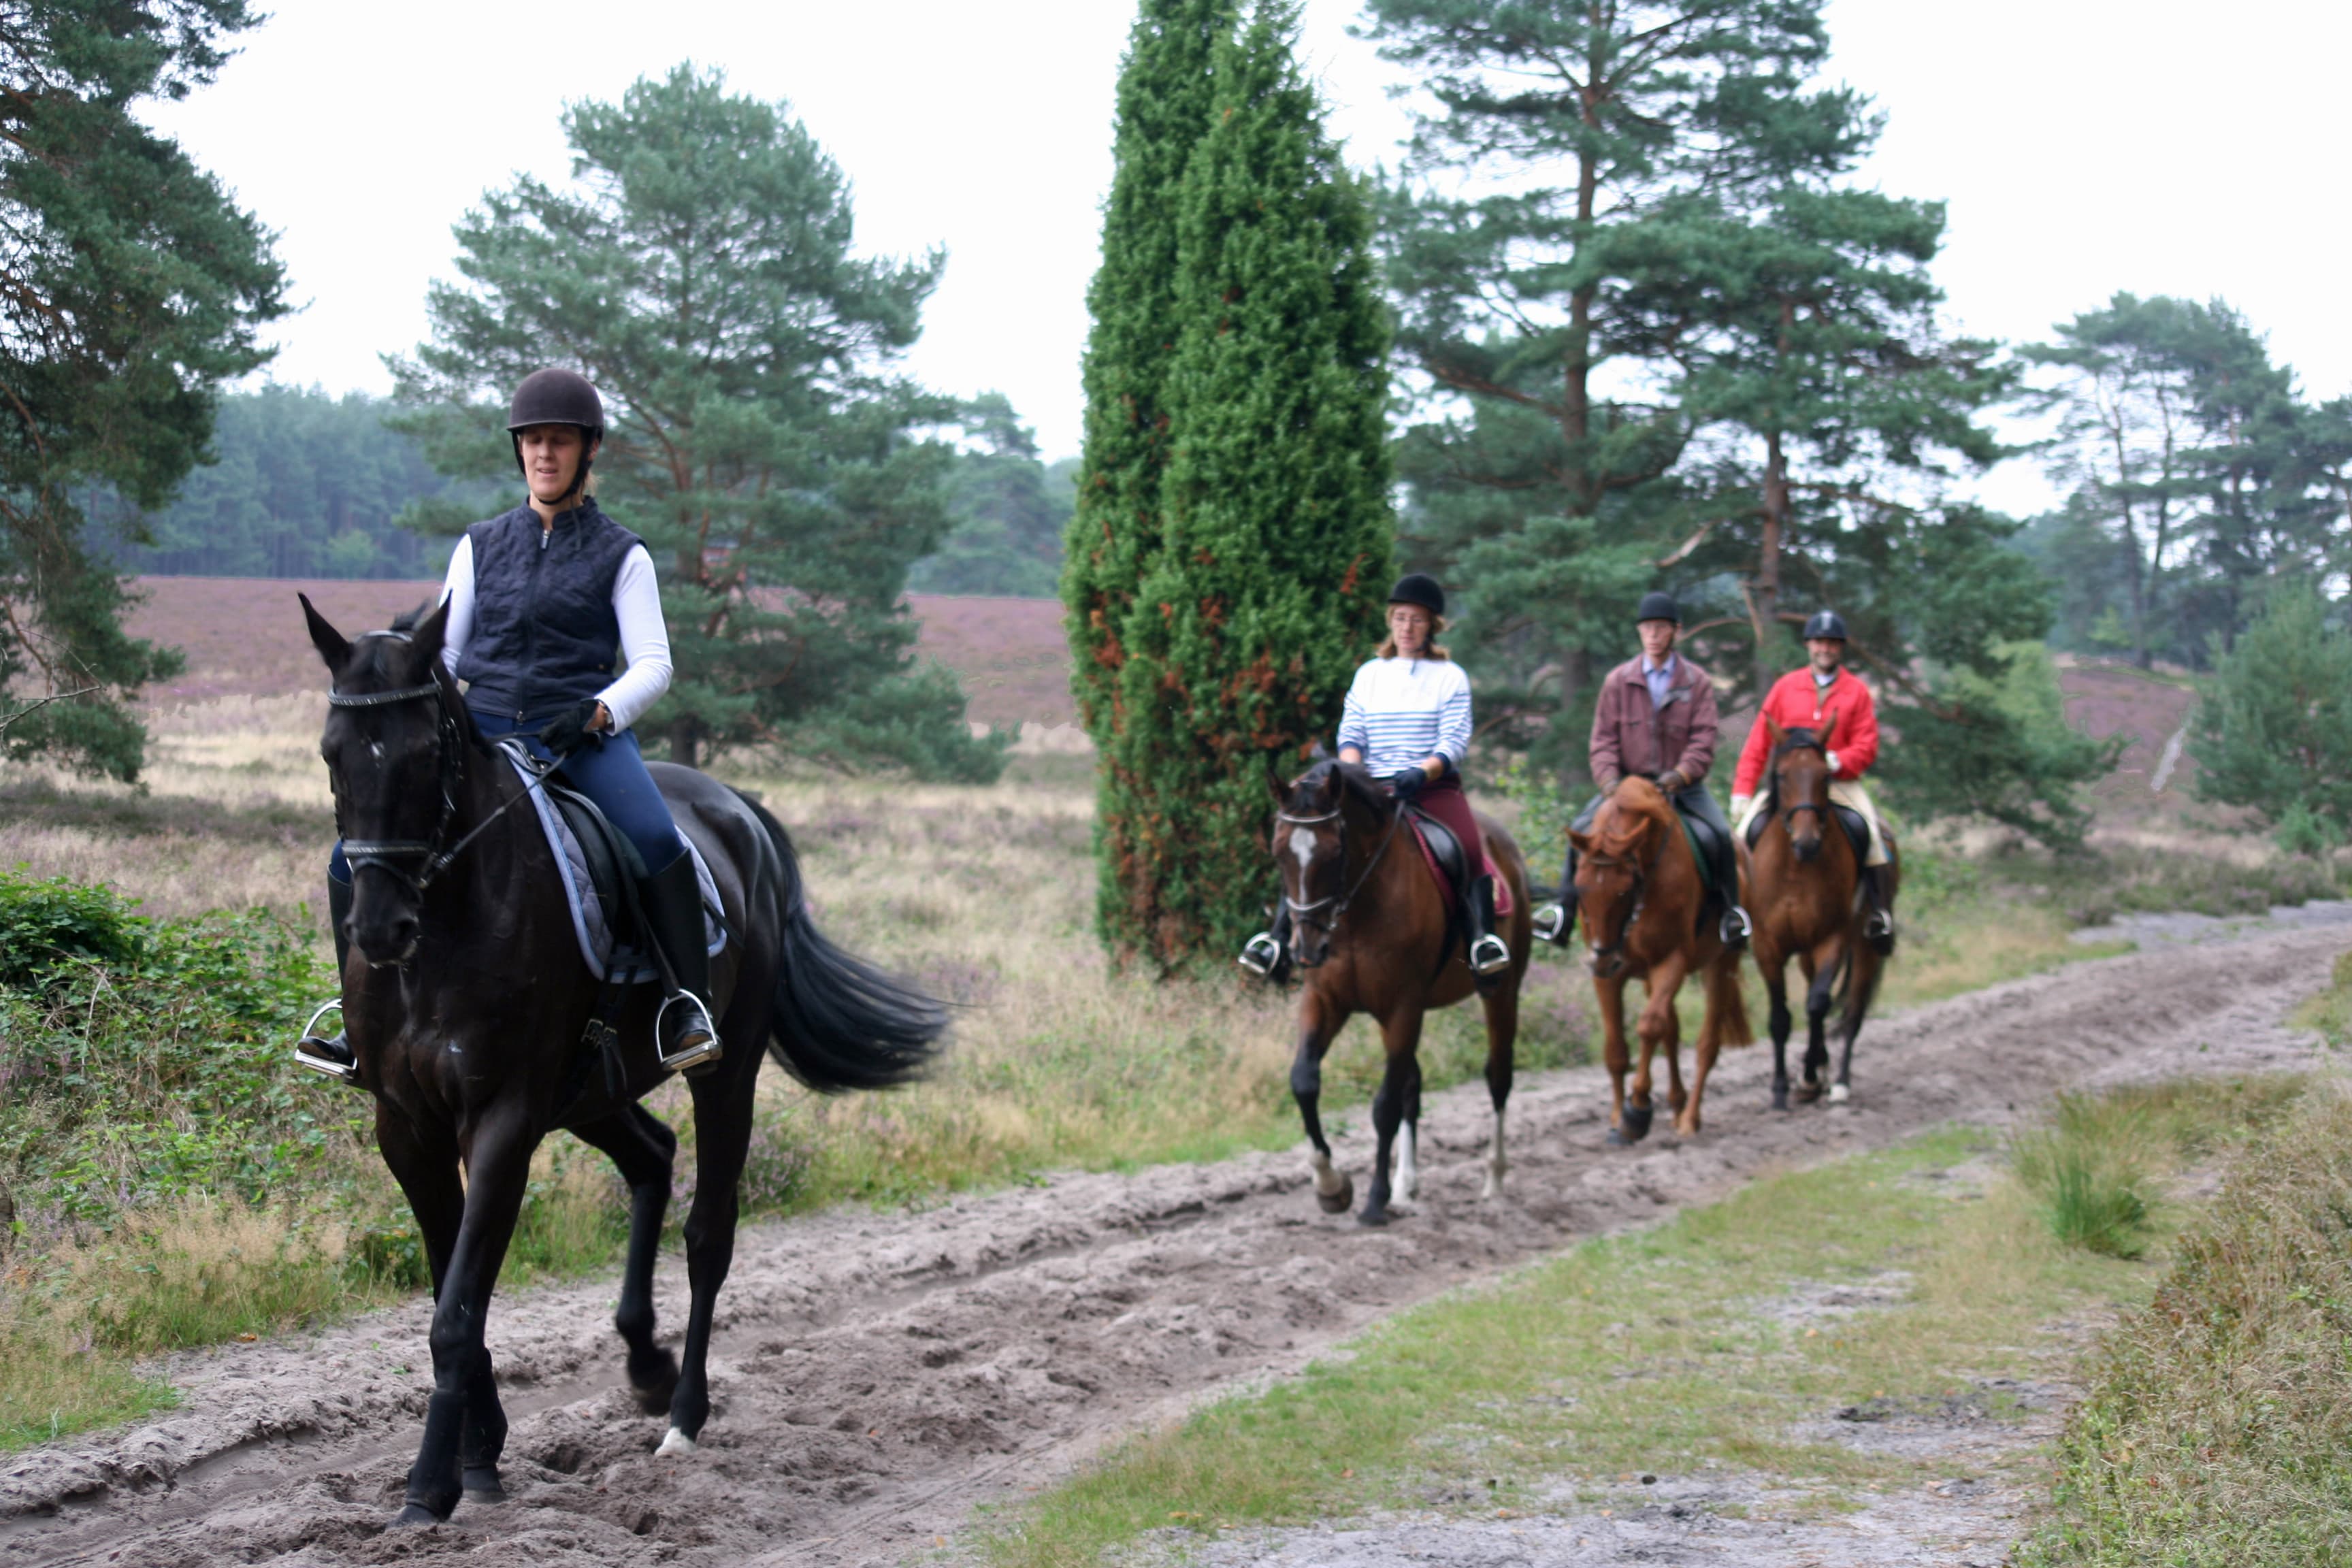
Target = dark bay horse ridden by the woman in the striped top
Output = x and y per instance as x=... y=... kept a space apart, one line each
x=1372 y=934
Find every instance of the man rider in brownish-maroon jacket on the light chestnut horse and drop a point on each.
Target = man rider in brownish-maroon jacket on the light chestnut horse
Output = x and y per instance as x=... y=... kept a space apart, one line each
x=1657 y=721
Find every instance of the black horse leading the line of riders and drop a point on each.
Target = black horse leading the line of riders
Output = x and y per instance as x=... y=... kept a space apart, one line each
x=467 y=1003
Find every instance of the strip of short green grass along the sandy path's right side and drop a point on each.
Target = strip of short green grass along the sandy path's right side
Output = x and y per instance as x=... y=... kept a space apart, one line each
x=1671 y=1351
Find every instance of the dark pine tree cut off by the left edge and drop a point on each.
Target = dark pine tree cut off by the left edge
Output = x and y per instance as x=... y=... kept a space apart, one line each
x=131 y=288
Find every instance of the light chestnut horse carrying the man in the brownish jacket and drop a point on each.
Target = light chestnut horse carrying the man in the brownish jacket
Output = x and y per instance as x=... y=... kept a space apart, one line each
x=1638 y=887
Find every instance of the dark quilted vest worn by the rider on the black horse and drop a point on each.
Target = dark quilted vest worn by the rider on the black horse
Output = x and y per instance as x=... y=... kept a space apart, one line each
x=544 y=631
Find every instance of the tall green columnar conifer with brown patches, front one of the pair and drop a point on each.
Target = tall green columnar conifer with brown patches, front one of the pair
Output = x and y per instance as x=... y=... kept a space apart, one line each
x=1259 y=575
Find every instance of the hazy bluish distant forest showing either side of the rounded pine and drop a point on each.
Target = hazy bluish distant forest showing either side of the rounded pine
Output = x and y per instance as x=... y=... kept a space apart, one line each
x=309 y=485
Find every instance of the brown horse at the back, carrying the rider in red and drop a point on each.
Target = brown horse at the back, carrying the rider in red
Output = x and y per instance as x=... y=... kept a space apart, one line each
x=1803 y=878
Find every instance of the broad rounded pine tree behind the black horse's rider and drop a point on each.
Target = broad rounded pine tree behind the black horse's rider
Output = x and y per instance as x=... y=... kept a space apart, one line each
x=702 y=274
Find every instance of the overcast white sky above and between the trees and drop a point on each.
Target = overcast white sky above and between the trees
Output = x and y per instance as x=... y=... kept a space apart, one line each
x=2083 y=145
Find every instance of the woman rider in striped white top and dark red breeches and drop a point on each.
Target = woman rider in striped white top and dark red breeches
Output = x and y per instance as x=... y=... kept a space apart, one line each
x=1408 y=723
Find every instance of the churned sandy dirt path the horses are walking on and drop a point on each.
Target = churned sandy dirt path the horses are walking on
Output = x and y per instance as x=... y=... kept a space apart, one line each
x=881 y=1374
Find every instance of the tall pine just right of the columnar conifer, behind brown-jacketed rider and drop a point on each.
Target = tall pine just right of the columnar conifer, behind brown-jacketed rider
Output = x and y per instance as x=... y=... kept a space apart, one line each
x=1546 y=474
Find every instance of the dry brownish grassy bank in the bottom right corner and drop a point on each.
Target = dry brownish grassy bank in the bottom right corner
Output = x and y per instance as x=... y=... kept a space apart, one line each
x=2217 y=1428
